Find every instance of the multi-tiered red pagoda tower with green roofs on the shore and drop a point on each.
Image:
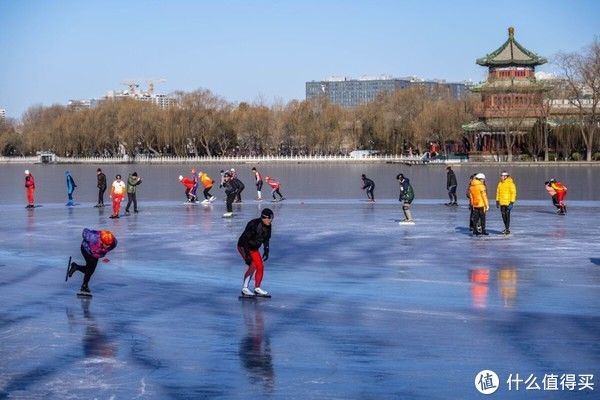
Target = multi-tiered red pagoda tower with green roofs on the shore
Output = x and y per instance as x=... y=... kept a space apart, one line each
x=511 y=98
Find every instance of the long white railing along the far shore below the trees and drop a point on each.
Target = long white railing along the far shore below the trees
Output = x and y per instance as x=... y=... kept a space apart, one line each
x=232 y=159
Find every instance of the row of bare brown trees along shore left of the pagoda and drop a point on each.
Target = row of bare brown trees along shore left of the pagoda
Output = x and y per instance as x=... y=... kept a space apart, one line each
x=205 y=124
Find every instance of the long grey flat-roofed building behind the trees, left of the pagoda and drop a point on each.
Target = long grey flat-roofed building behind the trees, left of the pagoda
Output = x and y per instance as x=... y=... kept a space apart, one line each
x=348 y=92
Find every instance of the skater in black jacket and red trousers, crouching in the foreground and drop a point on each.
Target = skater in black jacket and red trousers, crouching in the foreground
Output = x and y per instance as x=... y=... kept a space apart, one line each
x=257 y=233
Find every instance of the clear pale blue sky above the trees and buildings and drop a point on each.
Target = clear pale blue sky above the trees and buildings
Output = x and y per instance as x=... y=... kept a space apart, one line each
x=53 y=51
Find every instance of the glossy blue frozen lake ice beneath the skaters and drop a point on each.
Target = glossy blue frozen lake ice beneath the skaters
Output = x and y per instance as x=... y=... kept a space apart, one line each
x=362 y=307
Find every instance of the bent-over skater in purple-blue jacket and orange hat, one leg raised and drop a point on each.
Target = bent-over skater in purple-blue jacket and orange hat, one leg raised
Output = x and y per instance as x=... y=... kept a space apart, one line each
x=94 y=246
